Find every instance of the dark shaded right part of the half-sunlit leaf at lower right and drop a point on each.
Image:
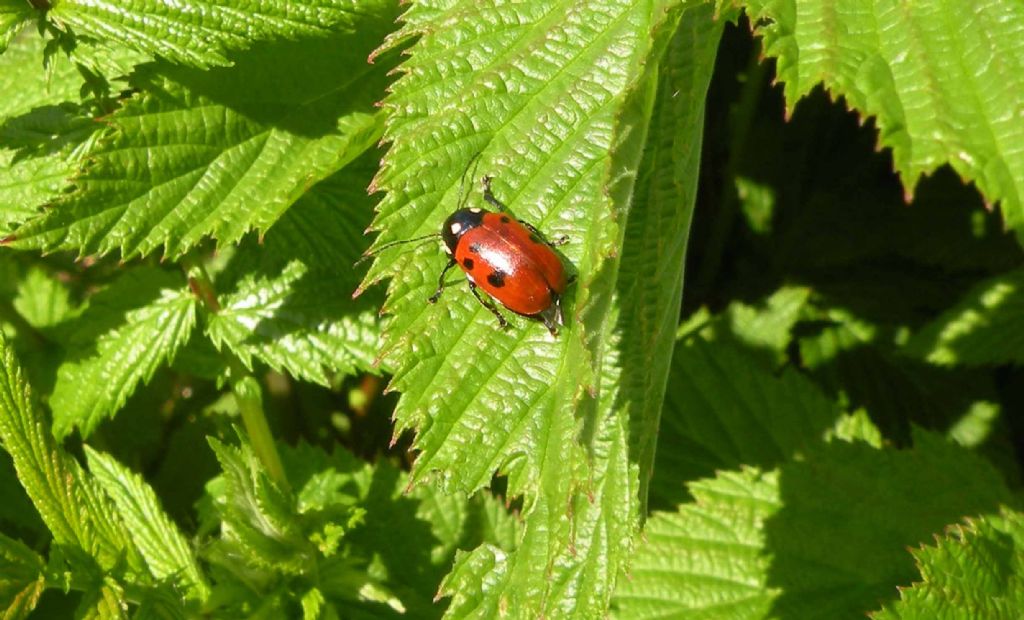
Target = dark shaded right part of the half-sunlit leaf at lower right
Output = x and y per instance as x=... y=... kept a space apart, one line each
x=839 y=546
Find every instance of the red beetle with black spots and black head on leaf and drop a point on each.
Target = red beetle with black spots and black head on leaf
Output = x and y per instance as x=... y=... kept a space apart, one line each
x=508 y=259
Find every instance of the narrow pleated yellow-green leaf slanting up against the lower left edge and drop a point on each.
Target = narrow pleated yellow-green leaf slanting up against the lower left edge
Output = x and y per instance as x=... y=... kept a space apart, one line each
x=72 y=507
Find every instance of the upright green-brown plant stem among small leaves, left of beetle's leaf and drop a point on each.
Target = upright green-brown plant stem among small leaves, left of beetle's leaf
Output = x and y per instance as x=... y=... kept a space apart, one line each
x=246 y=388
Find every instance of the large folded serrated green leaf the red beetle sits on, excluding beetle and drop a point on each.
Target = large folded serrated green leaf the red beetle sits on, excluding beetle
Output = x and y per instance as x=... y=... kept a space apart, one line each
x=591 y=131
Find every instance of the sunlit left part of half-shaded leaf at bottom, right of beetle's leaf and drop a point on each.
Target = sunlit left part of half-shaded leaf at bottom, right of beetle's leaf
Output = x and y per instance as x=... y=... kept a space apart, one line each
x=706 y=560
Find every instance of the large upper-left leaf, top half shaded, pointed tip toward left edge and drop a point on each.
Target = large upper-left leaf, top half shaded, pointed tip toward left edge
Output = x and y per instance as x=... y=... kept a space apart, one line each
x=220 y=153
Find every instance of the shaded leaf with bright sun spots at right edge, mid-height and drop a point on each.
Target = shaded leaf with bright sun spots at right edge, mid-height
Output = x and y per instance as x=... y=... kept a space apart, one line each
x=986 y=328
